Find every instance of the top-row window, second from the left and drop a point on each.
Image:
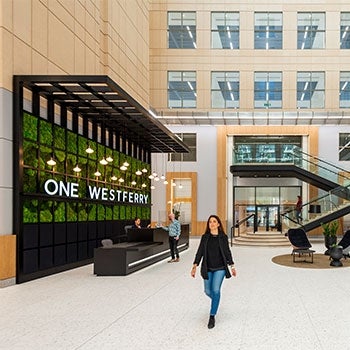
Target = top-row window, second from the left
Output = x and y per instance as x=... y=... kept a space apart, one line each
x=225 y=30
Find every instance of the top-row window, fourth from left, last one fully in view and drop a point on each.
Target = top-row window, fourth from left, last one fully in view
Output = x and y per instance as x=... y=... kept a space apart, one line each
x=311 y=30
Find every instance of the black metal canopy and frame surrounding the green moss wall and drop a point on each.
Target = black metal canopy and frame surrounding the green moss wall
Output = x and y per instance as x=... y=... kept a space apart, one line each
x=98 y=100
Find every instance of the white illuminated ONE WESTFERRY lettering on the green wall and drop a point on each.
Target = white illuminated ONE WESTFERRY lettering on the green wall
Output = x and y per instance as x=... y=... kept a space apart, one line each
x=71 y=190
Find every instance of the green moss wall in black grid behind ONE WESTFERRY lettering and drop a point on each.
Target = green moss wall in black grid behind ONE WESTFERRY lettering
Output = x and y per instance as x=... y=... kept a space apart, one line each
x=43 y=140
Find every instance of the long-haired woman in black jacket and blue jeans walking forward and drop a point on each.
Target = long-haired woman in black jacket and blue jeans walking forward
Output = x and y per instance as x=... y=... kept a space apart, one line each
x=216 y=257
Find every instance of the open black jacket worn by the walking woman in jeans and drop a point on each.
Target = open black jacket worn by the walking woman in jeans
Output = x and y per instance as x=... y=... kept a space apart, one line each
x=202 y=253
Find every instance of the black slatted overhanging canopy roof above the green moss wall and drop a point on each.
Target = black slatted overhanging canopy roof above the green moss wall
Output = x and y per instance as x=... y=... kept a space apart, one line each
x=99 y=99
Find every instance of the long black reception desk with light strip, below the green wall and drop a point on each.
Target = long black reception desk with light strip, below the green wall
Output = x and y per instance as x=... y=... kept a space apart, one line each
x=144 y=247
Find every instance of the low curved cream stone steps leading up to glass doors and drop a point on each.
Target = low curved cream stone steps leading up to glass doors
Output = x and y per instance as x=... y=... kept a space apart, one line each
x=262 y=239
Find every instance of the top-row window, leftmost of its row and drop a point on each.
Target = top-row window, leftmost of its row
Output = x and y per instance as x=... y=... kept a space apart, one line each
x=182 y=30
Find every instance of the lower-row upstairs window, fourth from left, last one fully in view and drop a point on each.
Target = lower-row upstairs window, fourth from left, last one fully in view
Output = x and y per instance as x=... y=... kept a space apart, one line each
x=310 y=89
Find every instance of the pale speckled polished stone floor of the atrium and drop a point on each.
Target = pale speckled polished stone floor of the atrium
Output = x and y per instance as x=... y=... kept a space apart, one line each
x=267 y=306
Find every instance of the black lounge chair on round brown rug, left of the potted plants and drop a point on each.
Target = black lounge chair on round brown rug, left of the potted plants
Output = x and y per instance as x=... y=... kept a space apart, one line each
x=301 y=245
